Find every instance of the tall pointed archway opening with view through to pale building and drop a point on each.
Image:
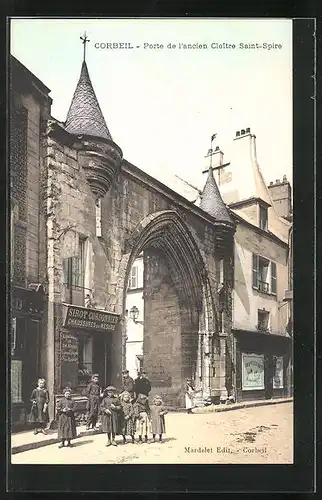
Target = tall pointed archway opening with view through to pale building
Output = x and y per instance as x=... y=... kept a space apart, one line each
x=164 y=304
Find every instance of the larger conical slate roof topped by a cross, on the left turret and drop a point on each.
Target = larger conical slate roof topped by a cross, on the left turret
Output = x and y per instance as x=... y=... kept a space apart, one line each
x=85 y=116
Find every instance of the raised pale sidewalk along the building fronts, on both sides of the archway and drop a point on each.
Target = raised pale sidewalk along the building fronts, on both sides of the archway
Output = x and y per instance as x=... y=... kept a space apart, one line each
x=24 y=441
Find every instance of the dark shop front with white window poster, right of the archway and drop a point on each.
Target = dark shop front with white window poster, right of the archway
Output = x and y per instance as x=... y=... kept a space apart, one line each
x=262 y=365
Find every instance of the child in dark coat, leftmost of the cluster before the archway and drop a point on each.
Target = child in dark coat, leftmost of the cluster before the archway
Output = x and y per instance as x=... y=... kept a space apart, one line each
x=110 y=411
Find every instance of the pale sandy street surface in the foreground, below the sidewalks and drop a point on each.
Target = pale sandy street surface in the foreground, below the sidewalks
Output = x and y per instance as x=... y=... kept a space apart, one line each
x=257 y=435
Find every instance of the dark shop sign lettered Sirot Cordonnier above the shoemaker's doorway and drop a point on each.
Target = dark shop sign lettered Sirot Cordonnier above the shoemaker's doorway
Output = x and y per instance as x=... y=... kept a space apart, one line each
x=90 y=319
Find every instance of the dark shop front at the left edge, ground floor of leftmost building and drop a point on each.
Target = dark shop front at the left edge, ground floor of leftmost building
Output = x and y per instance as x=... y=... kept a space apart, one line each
x=26 y=327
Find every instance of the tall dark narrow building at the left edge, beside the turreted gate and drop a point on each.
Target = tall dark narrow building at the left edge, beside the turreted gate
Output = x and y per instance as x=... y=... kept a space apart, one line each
x=29 y=110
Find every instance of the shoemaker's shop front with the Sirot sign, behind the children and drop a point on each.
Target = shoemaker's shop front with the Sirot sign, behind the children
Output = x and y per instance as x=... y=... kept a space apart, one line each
x=86 y=347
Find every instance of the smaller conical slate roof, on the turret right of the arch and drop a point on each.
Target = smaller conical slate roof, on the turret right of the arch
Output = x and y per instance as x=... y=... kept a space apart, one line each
x=211 y=200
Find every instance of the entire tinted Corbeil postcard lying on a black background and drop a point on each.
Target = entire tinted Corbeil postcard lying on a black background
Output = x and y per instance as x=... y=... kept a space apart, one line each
x=151 y=241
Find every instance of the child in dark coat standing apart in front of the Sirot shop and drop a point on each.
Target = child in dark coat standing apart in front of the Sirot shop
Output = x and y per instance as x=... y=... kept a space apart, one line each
x=66 y=419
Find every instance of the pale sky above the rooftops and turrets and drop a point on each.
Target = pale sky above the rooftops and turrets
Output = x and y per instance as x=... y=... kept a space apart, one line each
x=163 y=105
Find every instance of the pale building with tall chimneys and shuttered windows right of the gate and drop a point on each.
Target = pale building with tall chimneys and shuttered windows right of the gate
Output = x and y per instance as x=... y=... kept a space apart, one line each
x=261 y=316
